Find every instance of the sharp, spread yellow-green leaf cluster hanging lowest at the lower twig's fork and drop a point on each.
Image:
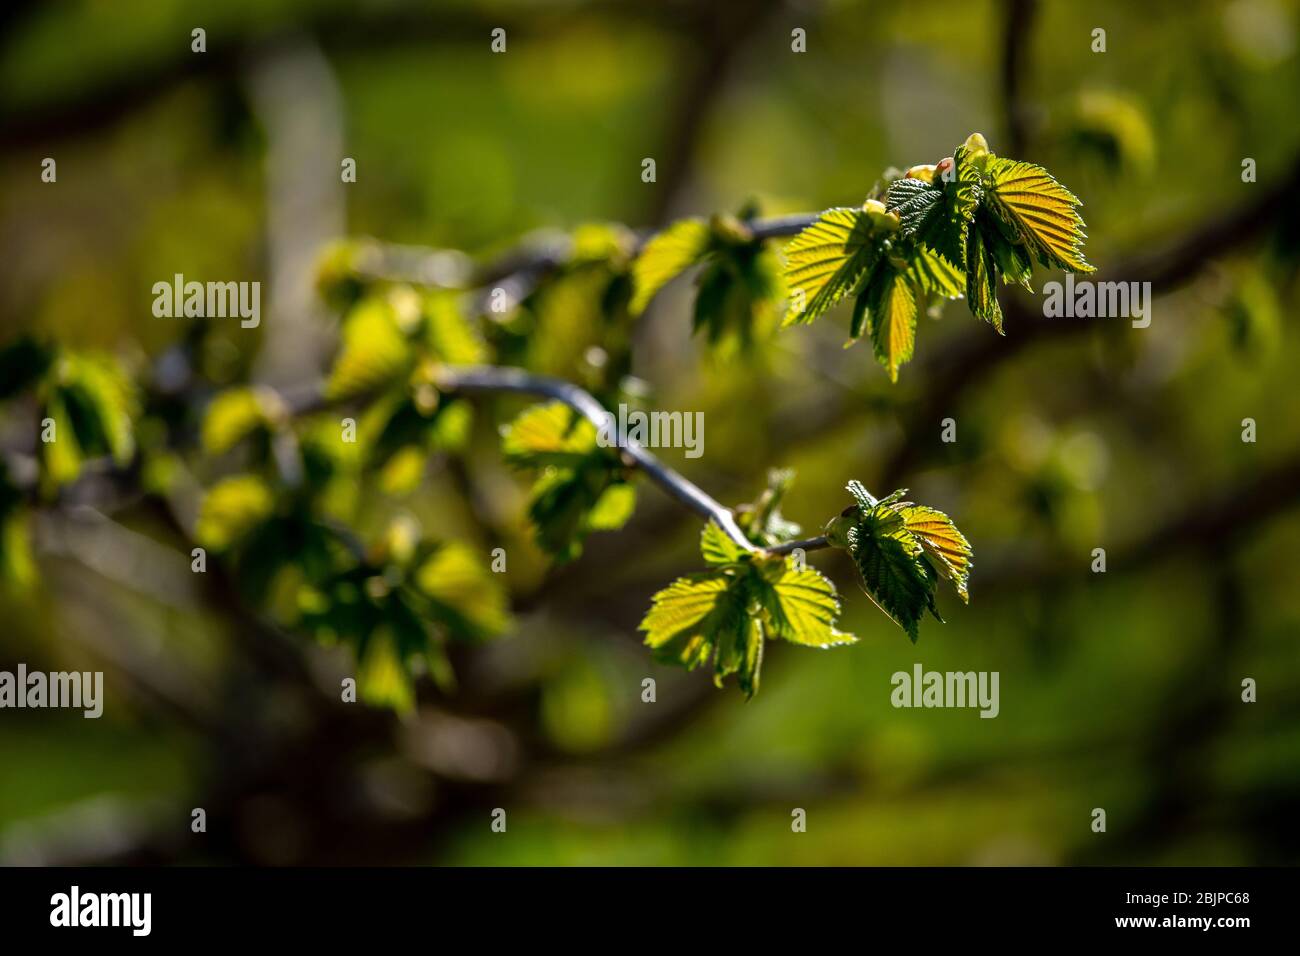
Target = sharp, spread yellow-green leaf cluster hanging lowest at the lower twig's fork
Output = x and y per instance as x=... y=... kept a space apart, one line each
x=729 y=612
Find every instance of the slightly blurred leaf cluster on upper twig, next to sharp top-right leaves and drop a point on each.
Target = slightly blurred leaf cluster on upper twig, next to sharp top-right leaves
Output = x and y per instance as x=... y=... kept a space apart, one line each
x=739 y=287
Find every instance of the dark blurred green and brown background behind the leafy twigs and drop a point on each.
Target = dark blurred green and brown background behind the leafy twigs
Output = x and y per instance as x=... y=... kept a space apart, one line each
x=1119 y=691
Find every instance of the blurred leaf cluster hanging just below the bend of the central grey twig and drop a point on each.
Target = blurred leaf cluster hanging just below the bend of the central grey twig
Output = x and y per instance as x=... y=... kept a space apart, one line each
x=582 y=485
